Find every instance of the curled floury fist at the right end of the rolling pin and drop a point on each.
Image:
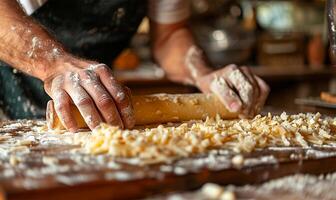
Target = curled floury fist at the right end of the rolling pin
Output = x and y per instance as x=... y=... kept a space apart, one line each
x=238 y=88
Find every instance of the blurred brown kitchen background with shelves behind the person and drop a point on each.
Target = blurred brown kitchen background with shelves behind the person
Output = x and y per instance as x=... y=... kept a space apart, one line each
x=285 y=42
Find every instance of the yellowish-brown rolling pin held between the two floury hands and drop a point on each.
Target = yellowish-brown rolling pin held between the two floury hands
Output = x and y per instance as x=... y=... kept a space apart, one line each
x=159 y=108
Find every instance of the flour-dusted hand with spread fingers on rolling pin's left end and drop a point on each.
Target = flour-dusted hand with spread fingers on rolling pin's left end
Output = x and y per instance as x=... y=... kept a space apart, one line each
x=94 y=91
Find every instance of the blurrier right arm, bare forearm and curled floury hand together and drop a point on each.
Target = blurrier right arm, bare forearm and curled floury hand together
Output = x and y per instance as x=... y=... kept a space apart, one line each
x=177 y=53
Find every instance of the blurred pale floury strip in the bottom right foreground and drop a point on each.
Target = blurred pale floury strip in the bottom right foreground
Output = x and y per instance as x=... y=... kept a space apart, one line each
x=294 y=187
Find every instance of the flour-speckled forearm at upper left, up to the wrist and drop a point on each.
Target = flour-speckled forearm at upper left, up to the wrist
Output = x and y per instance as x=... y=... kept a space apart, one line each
x=25 y=45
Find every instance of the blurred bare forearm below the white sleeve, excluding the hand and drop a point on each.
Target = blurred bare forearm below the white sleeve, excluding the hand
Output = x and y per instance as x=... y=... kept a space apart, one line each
x=177 y=53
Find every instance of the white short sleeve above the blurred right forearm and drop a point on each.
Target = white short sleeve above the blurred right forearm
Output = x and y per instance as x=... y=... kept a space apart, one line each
x=169 y=11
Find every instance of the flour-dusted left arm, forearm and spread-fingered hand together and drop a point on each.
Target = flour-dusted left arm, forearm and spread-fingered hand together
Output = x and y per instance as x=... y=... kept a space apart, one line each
x=28 y=47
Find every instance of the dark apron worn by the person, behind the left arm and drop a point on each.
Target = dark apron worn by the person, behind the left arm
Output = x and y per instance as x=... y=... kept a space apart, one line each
x=94 y=29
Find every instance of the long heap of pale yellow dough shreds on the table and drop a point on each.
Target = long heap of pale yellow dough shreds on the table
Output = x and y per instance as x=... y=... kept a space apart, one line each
x=167 y=143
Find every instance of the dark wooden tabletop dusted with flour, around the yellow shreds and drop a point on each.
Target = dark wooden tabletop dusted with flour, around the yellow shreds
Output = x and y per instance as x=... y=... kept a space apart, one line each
x=37 y=164
